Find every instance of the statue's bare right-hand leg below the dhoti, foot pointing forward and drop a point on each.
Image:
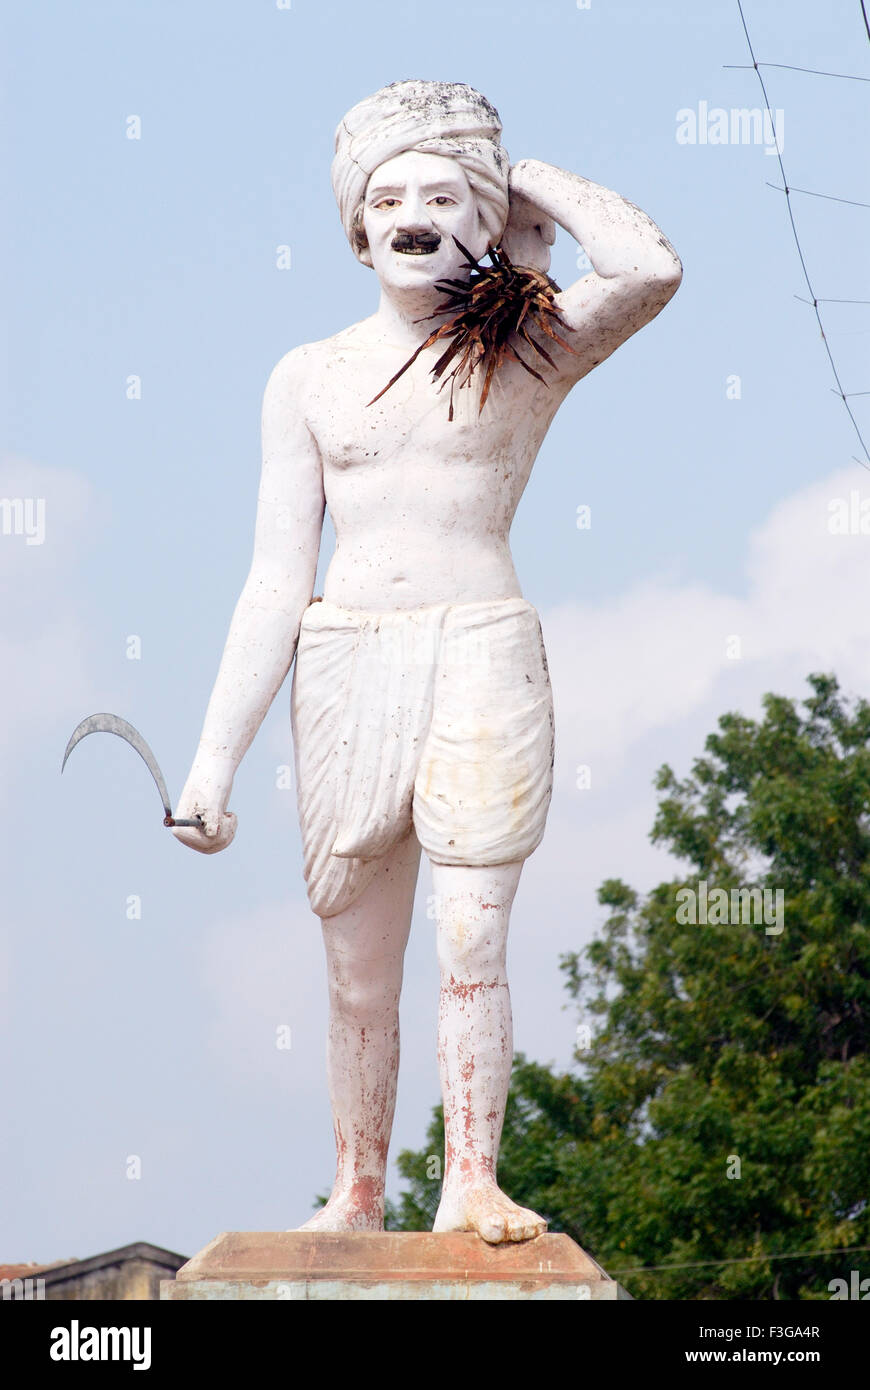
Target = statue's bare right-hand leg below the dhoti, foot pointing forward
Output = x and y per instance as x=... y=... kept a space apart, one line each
x=476 y=1049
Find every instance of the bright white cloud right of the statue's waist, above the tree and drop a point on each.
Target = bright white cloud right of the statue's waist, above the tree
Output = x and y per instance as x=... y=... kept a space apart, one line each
x=659 y=653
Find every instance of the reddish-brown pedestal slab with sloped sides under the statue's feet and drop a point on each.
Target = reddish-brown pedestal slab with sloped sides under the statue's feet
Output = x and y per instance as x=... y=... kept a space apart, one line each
x=386 y=1266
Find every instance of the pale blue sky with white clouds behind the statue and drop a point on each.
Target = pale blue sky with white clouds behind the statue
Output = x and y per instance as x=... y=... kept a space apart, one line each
x=158 y=258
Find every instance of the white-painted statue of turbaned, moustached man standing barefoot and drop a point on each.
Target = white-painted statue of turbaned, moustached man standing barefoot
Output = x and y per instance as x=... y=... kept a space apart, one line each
x=422 y=704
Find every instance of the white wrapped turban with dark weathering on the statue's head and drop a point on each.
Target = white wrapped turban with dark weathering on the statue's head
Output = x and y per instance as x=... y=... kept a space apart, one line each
x=433 y=119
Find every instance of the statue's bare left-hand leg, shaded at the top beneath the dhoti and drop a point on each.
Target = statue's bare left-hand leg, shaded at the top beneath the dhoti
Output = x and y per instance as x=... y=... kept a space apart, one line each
x=365 y=956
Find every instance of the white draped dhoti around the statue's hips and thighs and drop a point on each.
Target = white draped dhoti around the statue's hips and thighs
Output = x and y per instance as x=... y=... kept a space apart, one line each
x=438 y=719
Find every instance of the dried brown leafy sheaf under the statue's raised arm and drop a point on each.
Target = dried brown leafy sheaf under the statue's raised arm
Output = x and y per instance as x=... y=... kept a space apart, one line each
x=495 y=305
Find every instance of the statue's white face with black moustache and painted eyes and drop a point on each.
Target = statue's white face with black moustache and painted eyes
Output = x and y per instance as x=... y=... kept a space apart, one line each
x=415 y=206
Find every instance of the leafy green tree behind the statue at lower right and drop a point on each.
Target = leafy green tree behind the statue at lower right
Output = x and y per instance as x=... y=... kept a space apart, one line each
x=722 y=1110
